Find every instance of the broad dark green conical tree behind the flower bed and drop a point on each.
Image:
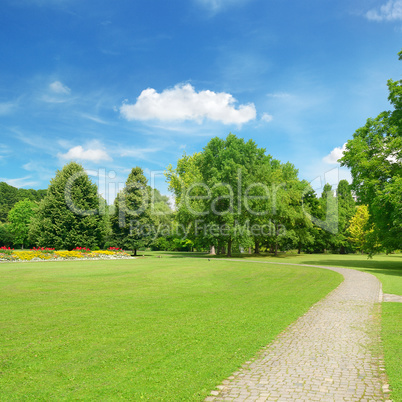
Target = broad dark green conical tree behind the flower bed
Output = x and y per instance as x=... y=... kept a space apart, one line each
x=70 y=214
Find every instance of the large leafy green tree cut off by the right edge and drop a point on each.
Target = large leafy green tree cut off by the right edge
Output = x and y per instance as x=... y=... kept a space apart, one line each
x=374 y=156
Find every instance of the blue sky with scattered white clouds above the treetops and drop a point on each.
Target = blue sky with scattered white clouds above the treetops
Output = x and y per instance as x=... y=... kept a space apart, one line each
x=124 y=83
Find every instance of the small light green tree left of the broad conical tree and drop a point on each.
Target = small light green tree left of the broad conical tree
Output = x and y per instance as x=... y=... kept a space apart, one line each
x=20 y=218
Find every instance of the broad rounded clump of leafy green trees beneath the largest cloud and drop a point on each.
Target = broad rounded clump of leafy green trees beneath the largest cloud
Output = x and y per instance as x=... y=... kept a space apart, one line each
x=233 y=193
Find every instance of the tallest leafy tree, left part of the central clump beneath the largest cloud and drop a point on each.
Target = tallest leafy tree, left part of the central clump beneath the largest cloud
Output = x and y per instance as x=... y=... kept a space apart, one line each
x=211 y=190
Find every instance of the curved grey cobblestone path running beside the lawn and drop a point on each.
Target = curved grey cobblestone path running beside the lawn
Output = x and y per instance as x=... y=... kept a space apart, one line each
x=331 y=353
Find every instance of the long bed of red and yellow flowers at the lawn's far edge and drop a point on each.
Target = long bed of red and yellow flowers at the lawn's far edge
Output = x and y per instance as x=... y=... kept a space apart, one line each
x=42 y=253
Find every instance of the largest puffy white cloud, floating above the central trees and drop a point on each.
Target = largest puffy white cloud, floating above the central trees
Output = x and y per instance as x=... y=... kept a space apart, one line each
x=183 y=103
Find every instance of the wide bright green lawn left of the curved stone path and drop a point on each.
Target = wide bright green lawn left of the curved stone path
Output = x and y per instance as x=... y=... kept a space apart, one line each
x=158 y=329
